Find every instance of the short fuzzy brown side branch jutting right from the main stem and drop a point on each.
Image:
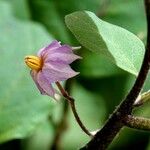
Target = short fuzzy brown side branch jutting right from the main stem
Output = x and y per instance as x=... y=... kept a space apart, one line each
x=138 y=123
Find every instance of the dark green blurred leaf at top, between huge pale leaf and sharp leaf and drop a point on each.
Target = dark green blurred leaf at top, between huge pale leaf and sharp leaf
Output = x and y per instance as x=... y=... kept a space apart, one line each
x=50 y=17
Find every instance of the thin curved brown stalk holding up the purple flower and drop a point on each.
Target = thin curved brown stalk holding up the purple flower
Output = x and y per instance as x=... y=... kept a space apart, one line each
x=71 y=101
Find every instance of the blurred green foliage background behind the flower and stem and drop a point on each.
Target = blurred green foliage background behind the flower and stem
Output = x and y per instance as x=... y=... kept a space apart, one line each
x=28 y=120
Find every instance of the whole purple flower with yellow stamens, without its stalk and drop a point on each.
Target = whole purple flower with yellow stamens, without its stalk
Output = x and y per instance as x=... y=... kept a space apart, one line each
x=51 y=65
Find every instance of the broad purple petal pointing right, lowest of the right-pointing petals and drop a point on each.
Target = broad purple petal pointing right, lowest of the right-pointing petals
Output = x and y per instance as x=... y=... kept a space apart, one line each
x=56 y=71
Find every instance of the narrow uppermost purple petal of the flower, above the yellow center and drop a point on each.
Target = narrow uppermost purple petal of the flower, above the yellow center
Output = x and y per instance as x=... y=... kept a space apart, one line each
x=54 y=45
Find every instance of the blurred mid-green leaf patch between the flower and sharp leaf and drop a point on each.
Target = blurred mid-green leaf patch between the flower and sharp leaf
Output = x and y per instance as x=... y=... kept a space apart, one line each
x=98 y=65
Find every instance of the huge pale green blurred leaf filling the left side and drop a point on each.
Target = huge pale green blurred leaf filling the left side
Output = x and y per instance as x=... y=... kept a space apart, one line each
x=22 y=108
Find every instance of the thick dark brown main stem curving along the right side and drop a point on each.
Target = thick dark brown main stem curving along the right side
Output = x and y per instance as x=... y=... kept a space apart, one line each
x=105 y=136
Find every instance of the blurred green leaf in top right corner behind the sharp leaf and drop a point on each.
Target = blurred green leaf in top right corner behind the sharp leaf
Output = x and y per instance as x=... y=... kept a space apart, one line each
x=119 y=13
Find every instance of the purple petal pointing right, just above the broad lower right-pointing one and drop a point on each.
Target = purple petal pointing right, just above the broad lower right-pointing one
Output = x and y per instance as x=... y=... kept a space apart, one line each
x=67 y=58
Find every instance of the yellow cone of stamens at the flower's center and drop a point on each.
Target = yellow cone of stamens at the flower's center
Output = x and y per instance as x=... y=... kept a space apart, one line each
x=34 y=62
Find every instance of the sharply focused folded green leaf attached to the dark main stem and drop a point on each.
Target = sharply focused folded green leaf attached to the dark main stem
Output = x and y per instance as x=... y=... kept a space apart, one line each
x=117 y=44
